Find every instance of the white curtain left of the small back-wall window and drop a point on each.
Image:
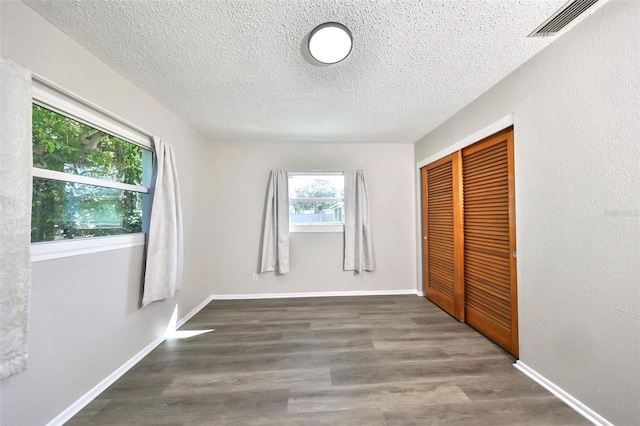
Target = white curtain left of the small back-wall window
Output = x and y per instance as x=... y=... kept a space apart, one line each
x=275 y=236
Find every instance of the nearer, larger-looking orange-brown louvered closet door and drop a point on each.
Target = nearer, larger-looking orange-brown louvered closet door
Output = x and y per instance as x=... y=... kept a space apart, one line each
x=489 y=239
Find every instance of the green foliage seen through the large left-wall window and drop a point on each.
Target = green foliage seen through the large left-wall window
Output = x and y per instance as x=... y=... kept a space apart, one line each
x=87 y=183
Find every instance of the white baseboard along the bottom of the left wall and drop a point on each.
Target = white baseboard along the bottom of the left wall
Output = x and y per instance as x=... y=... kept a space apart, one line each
x=74 y=408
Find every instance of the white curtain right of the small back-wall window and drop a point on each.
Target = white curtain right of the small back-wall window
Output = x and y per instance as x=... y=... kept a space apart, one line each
x=358 y=242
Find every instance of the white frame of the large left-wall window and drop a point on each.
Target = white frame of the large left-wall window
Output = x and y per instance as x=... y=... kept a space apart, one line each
x=63 y=102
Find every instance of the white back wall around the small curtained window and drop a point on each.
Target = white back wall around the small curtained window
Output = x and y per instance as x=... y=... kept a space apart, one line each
x=241 y=172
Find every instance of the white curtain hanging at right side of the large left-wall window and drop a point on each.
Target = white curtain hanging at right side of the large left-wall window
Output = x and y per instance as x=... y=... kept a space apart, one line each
x=165 y=251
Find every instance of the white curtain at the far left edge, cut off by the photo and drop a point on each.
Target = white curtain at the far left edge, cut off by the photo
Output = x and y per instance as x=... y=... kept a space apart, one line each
x=15 y=211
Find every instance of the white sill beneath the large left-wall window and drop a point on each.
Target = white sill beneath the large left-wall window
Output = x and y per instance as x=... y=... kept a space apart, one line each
x=66 y=248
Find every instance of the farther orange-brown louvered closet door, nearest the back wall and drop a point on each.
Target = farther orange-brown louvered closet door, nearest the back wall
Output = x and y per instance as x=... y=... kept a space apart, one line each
x=442 y=234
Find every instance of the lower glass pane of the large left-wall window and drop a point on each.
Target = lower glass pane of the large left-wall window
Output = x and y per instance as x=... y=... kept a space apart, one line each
x=63 y=210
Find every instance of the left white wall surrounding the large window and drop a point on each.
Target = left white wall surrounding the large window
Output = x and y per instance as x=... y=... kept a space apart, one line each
x=85 y=321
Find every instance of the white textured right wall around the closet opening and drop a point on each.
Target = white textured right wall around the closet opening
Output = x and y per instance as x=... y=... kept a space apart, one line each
x=577 y=132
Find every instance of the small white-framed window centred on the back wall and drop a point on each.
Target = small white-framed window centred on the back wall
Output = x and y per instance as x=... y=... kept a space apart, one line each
x=316 y=202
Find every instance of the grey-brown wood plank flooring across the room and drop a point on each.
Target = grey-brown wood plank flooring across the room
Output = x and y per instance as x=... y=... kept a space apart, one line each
x=384 y=360
